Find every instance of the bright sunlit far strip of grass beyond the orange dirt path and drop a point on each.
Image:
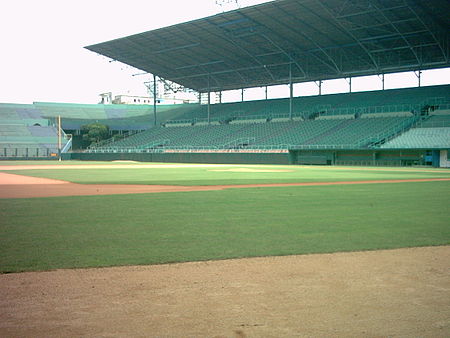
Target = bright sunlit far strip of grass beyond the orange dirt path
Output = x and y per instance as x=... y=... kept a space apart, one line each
x=200 y=175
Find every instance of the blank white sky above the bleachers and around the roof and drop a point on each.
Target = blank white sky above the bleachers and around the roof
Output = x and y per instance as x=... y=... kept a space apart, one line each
x=41 y=45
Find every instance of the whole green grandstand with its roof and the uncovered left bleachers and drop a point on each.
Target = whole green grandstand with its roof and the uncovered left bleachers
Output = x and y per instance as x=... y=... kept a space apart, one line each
x=281 y=42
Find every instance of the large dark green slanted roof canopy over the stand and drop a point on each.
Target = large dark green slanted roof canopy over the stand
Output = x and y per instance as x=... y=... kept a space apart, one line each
x=301 y=40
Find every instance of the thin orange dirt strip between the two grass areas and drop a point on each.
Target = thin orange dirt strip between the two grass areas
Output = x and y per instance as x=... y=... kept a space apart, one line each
x=18 y=186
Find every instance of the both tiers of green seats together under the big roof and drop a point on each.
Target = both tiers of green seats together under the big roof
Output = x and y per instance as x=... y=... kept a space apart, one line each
x=338 y=121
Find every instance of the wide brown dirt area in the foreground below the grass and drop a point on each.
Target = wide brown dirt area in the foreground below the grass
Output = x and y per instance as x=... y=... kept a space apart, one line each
x=392 y=293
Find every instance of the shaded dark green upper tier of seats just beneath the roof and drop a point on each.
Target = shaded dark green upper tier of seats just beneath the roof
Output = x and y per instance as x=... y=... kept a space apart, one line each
x=395 y=102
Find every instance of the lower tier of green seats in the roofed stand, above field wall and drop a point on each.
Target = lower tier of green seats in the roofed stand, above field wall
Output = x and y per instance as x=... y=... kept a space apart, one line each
x=355 y=133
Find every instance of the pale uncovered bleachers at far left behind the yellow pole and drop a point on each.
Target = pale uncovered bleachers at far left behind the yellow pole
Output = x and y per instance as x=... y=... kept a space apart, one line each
x=30 y=128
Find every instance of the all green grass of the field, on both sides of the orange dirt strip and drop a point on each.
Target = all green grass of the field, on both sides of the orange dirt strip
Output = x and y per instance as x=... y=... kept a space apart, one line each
x=92 y=231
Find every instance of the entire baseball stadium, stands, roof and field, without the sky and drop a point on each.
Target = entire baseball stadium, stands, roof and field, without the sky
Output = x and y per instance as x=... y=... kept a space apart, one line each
x=303 y=216
